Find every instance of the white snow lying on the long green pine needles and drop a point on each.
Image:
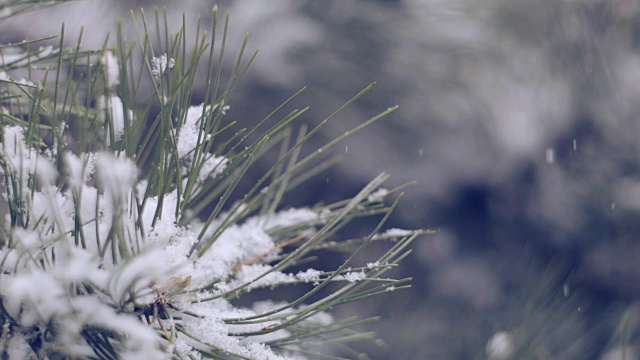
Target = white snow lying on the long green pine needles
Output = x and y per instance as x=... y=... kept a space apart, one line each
x=91 y=227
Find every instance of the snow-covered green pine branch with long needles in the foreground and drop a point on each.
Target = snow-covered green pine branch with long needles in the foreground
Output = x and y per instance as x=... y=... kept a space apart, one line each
x=130 y=246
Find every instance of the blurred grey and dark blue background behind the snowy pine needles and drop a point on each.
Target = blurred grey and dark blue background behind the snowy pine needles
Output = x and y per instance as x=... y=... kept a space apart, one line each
x=519 y=121
